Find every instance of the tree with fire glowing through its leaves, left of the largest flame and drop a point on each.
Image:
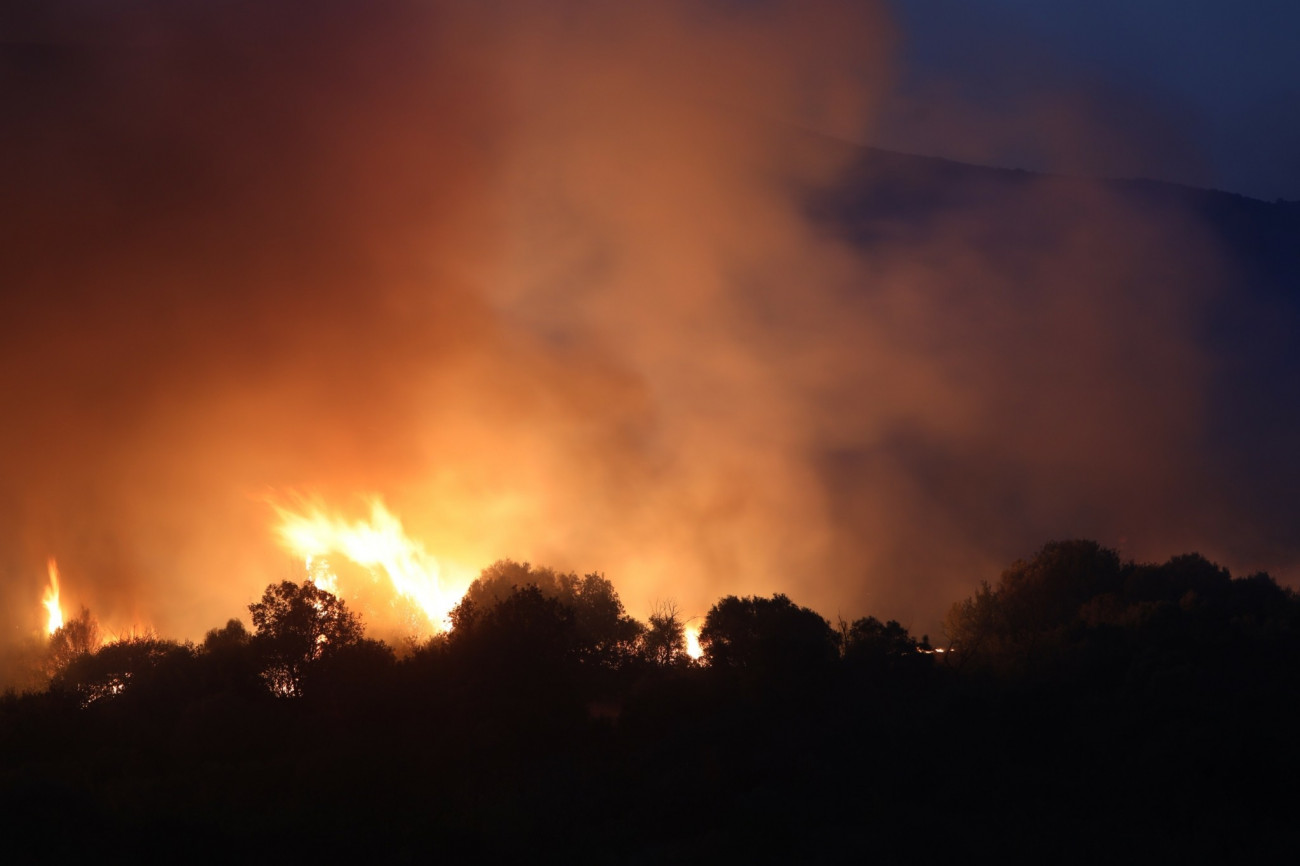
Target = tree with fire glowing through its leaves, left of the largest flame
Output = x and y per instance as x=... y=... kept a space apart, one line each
x=297 y=625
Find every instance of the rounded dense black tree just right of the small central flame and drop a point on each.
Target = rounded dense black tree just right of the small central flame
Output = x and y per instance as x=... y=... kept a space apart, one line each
x=768 y=636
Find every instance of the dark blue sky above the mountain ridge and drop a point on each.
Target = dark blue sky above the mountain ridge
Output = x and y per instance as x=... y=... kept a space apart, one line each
x=1198 y=92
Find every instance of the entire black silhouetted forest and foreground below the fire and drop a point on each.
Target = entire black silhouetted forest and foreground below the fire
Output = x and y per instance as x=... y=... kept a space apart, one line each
x=1081 y=709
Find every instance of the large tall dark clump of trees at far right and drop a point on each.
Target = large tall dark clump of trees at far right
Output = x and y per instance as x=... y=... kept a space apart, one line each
x=1076 y=607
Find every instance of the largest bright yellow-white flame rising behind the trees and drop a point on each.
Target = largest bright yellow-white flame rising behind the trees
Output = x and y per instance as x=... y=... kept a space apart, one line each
x=379 y=544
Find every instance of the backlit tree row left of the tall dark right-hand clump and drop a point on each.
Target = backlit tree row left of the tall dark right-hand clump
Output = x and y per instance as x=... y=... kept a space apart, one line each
x=514 y=621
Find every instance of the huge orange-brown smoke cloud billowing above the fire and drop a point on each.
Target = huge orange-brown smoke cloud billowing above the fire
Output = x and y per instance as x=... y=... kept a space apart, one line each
x=574 y=285
